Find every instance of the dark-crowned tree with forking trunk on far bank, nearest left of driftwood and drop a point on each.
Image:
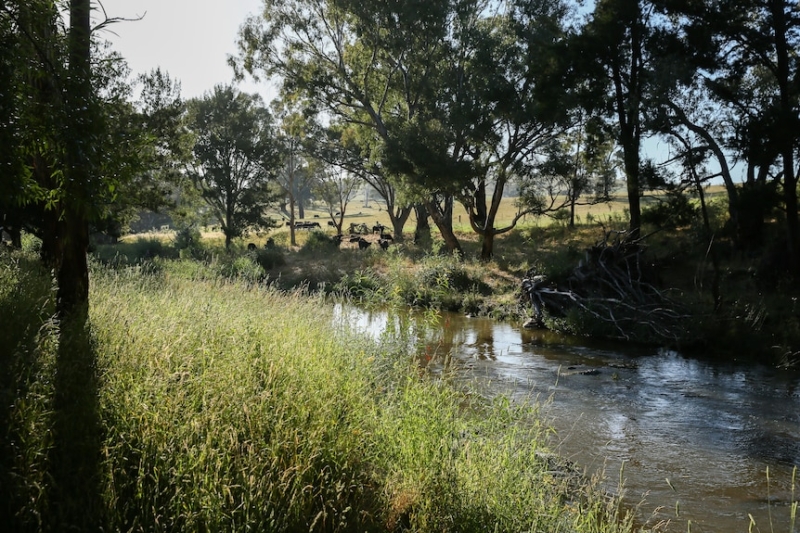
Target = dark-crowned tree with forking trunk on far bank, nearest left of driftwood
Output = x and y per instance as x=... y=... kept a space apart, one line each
x=506 y=106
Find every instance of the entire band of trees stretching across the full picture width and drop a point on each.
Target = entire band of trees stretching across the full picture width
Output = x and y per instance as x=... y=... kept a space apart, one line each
x=433 y=104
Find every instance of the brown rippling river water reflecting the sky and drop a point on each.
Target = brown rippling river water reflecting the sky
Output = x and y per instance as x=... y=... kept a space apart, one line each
x=702 y=444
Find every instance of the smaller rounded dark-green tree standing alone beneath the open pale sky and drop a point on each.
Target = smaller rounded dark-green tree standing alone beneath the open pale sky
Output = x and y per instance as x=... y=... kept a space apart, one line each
x=236 y=157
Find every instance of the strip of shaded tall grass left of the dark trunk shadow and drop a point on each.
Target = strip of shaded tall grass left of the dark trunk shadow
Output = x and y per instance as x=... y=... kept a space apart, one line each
x=28 y=344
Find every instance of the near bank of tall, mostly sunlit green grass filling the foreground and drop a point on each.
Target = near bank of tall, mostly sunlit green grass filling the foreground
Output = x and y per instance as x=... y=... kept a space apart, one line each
x=202 y=404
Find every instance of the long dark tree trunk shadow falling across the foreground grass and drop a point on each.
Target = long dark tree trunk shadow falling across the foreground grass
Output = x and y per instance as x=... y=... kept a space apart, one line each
x=75 y=459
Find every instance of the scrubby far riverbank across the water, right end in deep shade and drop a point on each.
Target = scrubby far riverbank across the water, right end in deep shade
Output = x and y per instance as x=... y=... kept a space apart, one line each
x=732 y=305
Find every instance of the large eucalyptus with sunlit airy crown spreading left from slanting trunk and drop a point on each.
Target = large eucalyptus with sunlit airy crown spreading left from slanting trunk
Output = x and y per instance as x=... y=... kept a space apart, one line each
x=378 y=65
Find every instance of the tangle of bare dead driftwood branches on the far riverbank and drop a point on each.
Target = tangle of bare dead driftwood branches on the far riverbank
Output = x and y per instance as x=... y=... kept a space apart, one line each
x=616 y=287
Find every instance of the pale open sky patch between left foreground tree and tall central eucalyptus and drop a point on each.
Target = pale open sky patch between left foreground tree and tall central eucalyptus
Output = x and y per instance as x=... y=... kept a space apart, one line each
x=190 y=39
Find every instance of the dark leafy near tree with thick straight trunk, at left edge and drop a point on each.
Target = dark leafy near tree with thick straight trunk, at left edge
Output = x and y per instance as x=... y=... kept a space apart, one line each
x=75 y=141
